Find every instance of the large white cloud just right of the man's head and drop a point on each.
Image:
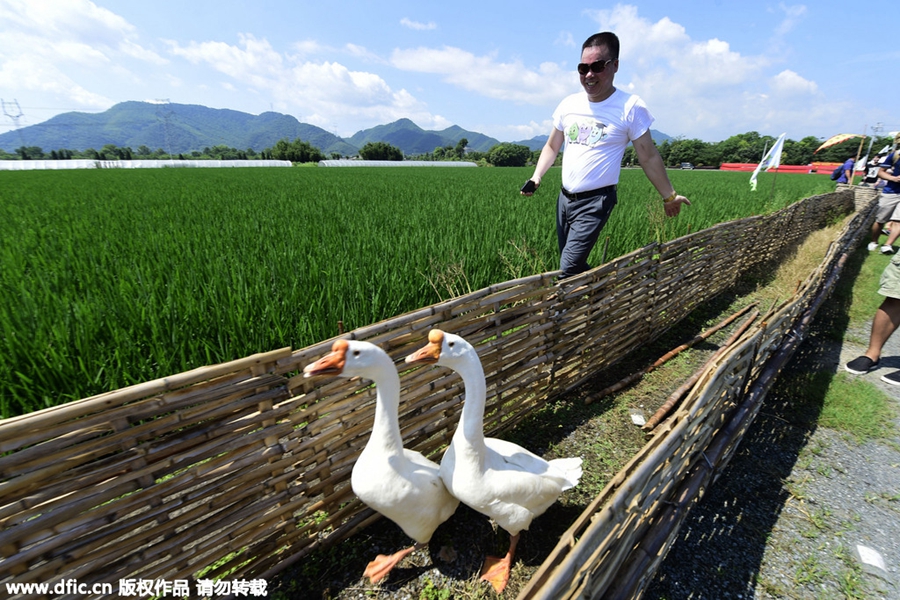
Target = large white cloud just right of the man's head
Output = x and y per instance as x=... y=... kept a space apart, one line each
x=700 y=87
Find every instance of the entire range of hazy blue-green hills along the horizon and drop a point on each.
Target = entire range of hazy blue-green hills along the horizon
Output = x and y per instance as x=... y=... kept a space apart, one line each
x=184 y=128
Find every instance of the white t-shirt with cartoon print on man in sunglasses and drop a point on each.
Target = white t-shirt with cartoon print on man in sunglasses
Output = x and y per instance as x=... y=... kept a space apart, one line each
x=596 y=135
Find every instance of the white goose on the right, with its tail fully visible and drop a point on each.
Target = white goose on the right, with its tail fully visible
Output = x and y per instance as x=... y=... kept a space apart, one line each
x=497 y=478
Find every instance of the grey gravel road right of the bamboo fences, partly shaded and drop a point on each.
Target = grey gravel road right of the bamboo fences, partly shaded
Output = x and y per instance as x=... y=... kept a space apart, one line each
x=801 y=511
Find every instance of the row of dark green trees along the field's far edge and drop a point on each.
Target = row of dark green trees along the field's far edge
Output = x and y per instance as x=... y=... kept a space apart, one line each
x=747 y=147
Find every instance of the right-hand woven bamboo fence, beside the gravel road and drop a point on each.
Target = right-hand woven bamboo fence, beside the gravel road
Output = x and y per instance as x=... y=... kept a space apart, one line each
x=625 y=532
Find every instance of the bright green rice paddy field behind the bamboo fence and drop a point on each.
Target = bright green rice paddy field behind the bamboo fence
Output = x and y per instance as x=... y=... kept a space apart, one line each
x=114 y=277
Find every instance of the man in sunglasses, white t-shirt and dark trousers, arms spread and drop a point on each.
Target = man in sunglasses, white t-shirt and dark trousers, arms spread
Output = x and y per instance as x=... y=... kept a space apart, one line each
x=596 y=127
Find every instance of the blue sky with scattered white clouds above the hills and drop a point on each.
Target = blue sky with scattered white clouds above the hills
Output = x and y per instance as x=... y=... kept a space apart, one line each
x=707 y=69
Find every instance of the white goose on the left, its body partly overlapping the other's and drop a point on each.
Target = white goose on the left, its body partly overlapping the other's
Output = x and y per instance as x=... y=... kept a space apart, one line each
x=401 y=484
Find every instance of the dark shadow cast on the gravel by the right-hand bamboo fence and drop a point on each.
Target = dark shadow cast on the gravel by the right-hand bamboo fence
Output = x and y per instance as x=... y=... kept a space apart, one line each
x=720 y=546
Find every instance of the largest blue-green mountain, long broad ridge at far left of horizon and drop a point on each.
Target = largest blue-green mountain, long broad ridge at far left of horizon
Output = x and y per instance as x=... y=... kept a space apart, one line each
x=176 y=128
